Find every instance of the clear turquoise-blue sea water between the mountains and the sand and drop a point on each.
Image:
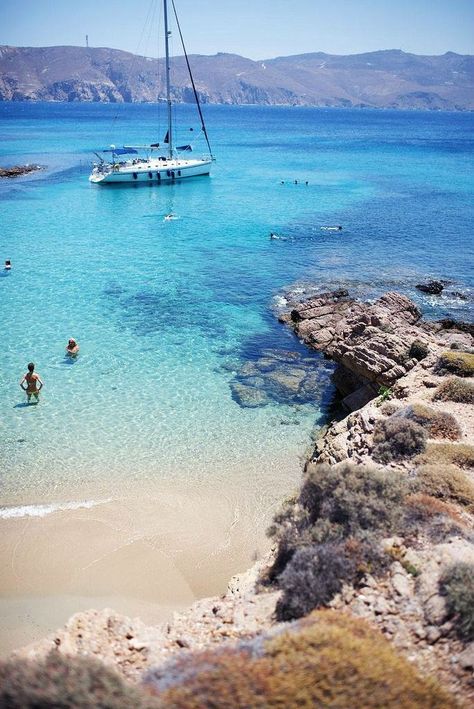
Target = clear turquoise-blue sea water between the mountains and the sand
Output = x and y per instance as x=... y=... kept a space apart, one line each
x=167 y=311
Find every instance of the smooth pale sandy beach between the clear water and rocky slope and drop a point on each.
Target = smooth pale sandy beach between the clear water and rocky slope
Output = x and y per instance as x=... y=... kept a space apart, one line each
x=146 y=554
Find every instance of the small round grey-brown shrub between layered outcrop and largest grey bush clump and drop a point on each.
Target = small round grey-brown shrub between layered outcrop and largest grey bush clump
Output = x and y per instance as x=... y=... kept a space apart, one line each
x=397 y=438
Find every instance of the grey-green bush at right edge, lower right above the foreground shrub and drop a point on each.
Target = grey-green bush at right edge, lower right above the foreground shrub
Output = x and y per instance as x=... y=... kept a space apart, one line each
x=457 y=584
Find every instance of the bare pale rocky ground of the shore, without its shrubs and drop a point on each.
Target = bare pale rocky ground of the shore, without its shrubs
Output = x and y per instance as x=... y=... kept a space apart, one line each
x=407 y=608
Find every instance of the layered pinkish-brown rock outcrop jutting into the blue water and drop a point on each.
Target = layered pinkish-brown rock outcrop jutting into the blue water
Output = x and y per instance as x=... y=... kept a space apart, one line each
x=375 y=344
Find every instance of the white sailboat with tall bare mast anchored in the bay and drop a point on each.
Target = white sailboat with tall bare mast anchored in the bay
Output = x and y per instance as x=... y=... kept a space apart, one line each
x=155 y=163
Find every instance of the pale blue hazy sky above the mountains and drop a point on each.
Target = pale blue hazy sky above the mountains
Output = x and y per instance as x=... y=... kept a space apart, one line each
x=258 y=29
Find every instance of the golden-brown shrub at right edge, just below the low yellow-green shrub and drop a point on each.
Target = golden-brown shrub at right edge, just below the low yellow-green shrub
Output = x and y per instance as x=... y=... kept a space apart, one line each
x=447 y=482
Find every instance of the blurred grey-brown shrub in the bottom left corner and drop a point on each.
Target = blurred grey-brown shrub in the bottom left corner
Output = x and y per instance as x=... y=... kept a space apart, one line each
x=67 y=683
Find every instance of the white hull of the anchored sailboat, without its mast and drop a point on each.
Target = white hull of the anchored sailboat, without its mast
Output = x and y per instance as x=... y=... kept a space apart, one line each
x=156 y=170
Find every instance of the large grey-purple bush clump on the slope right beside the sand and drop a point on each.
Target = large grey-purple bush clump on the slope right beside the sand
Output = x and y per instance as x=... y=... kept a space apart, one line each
x=331 y=535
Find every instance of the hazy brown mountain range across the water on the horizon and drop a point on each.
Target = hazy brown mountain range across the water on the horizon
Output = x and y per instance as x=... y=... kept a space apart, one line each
x=384 y=79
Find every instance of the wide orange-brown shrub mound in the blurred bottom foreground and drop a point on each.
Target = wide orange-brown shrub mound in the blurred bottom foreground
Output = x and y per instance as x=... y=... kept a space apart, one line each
x=327 y=660
